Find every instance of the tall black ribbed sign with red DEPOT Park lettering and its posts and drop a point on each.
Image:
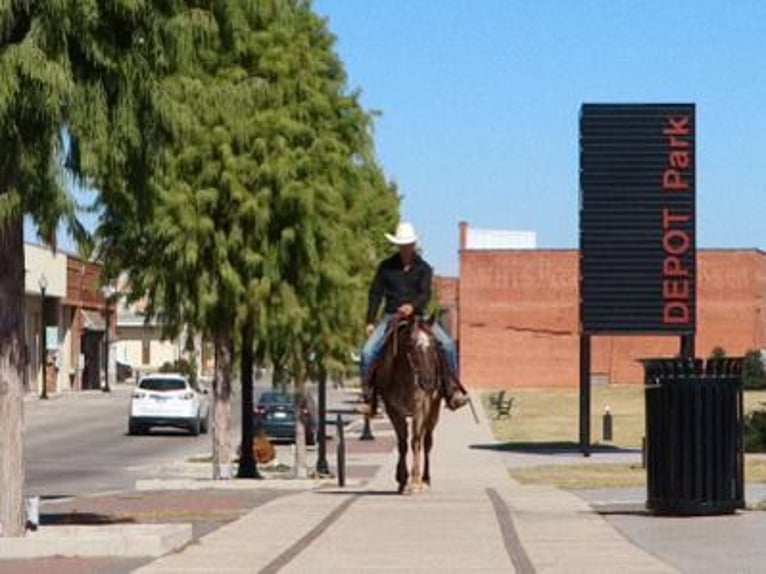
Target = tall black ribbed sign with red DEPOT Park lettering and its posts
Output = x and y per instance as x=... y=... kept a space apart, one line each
x=637 y=228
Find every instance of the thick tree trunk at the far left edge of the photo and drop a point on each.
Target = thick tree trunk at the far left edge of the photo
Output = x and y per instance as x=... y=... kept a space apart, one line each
x=12 y=521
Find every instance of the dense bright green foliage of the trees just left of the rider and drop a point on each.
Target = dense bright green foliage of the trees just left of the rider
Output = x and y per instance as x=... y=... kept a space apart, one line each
x=251 y=191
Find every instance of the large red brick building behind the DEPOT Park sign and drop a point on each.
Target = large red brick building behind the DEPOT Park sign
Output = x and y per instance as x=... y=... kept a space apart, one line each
x=517 y=321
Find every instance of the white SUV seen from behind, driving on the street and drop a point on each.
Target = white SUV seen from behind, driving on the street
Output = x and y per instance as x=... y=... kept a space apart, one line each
x=166 y=399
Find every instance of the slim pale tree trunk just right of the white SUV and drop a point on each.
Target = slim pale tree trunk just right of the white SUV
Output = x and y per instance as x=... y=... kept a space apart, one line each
x=224 y=350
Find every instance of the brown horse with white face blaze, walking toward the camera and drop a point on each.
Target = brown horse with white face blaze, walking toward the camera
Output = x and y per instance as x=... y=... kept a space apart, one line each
x=408 y=380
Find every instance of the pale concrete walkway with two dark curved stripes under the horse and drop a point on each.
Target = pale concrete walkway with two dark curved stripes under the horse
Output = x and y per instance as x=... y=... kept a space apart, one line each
x=474 y=519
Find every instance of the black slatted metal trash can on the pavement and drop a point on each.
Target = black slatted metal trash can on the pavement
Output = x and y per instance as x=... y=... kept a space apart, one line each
x=694 y=440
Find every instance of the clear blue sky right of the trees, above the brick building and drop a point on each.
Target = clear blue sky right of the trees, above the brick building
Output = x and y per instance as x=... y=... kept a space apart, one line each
x=480 y=102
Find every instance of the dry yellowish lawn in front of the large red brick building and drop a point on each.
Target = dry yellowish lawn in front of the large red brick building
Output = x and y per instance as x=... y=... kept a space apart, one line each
x=552 y=415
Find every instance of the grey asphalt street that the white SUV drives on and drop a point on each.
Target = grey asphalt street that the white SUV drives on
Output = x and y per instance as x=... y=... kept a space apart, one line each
x=78 y=444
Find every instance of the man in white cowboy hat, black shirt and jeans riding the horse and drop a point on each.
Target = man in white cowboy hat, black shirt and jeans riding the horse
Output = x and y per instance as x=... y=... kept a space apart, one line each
x=404 y=281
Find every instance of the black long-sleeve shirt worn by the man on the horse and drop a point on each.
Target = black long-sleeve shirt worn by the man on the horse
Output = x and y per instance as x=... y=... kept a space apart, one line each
x=398 y=286
